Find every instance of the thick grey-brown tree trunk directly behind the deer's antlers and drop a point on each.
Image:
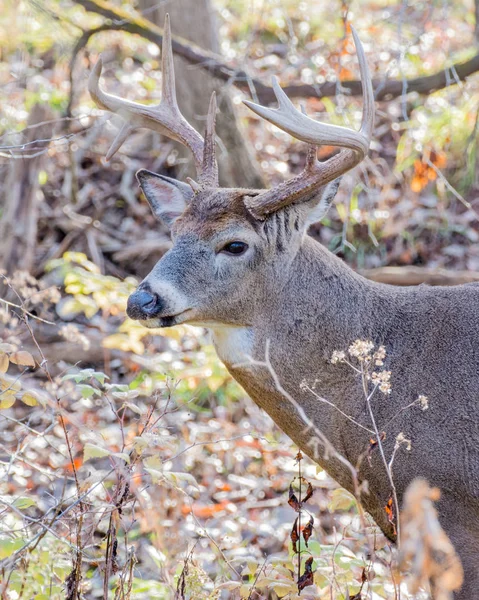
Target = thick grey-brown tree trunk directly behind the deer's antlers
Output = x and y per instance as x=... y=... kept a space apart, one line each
x=195 y=21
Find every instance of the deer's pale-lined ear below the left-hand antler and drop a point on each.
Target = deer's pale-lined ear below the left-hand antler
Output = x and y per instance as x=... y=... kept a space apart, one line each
x=167 y=197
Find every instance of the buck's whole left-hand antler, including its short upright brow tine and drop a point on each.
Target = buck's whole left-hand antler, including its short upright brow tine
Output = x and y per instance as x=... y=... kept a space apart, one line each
x=165 y=117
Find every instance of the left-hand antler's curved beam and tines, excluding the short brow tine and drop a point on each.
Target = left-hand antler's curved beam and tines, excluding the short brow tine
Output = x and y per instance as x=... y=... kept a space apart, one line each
x=165 y=117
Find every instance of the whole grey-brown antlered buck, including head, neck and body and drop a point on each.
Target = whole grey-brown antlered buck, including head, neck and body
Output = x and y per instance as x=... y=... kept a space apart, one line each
x=243 y=266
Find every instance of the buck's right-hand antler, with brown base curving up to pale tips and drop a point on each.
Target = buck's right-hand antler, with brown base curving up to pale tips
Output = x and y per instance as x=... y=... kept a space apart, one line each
x=316 y=174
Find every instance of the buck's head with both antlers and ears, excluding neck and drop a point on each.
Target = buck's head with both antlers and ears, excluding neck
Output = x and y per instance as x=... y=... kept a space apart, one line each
x=230 y=246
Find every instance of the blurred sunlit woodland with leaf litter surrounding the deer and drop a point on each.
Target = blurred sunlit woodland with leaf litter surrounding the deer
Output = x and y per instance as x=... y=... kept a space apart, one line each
x=131 y=465
